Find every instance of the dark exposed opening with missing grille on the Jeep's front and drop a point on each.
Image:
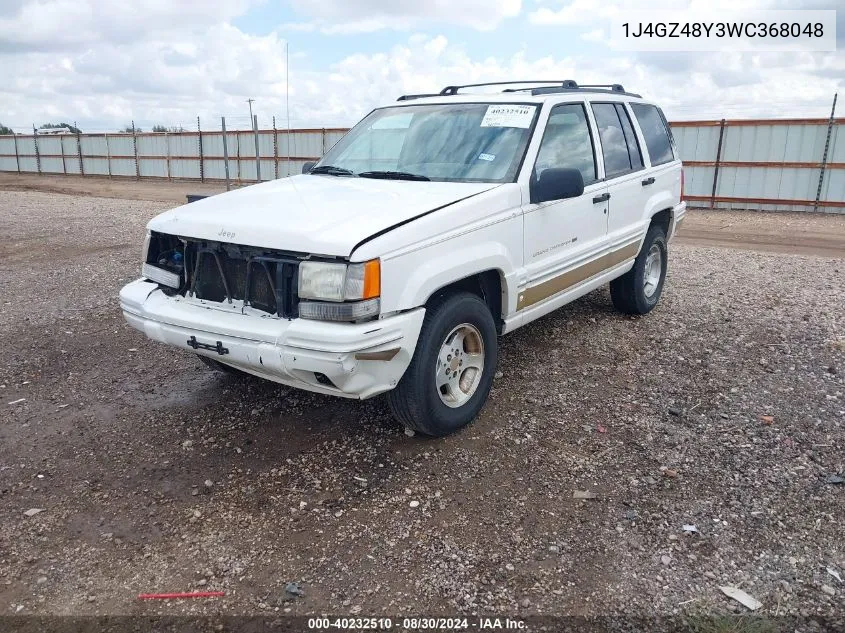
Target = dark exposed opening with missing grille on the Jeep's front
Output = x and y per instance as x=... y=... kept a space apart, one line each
x=252 y=278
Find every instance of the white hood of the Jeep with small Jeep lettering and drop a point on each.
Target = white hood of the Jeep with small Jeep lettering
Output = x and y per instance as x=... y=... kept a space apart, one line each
x=321 y=215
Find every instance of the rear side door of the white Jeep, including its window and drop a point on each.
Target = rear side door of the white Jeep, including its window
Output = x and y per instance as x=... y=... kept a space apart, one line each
x=624 y=172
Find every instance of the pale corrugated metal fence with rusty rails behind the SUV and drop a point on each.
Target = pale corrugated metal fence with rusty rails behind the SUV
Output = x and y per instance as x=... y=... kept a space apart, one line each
x=766 y=164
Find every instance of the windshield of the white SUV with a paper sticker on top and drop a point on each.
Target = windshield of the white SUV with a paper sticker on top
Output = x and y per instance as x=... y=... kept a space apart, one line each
x=461 y=142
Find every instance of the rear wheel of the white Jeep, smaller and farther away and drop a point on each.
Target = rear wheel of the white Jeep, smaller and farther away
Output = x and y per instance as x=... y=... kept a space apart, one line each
x=638 y=290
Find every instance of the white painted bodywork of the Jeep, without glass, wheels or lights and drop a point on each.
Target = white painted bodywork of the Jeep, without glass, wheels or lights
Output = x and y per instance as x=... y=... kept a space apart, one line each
x=427 y=236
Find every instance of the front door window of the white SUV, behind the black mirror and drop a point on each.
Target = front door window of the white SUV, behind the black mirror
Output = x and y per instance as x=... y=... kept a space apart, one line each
x=567 y=143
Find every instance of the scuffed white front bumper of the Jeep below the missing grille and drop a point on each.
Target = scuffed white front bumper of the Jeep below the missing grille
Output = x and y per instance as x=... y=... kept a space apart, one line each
x=359 y=359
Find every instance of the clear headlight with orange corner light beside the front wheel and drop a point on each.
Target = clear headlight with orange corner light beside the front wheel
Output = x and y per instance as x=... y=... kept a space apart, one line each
x=339 y=282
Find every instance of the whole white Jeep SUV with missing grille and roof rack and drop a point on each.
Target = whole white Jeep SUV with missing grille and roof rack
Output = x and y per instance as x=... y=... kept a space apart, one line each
x=436 y=224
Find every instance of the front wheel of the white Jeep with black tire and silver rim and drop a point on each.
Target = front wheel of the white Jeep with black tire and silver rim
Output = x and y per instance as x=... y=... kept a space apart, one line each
x=451 y=373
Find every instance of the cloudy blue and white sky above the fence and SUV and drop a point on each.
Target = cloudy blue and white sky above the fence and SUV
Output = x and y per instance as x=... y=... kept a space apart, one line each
x=104 y=63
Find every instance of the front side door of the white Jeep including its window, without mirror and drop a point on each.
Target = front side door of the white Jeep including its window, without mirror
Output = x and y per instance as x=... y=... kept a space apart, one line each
x=562 y=236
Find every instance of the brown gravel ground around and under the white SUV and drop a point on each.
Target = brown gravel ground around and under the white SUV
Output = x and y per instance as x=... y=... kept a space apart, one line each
x=723 y=409
